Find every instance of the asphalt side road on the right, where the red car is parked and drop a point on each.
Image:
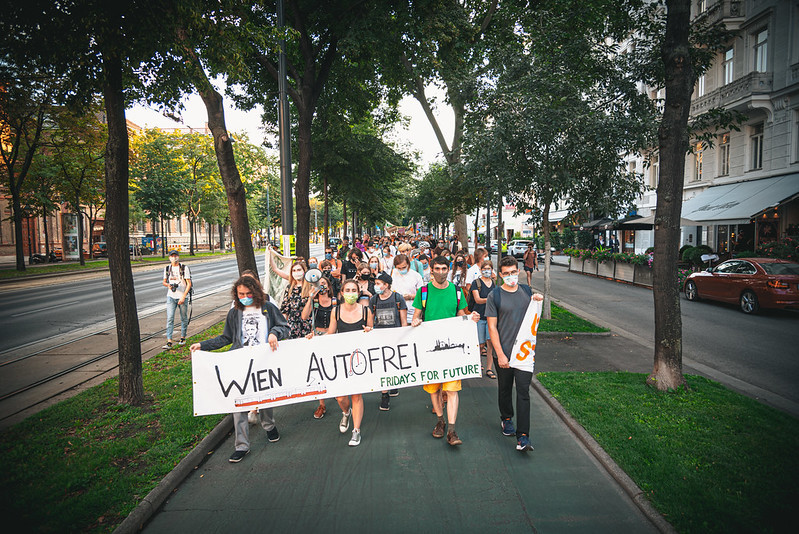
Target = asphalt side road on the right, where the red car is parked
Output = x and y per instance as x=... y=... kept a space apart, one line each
x=719 y=340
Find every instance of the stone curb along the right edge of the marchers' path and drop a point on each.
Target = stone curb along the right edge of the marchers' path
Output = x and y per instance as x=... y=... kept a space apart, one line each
x=627 y=484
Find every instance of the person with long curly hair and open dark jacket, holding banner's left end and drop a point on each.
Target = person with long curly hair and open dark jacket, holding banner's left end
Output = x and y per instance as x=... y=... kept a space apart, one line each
x=254 y=321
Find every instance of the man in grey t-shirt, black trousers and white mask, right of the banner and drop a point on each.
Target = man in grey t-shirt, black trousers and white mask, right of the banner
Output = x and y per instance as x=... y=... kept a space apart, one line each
x=506 y=310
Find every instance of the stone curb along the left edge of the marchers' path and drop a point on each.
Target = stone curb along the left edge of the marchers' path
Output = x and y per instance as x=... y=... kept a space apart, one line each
x=140 y=515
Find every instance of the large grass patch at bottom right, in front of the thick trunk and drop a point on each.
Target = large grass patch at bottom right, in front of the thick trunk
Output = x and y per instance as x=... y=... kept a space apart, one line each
x=709 y=459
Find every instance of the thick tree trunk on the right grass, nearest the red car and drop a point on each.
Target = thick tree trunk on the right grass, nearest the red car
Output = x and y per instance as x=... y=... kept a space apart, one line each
x=673 y=140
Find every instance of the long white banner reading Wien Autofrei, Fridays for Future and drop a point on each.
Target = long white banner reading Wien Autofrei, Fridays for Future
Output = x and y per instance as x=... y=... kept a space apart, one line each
x=335 y=365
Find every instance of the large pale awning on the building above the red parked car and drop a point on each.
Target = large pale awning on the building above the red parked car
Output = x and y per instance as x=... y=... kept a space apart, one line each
x=738 y=203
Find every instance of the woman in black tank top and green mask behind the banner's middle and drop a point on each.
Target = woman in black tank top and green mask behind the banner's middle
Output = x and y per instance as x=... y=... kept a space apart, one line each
x=350 y=316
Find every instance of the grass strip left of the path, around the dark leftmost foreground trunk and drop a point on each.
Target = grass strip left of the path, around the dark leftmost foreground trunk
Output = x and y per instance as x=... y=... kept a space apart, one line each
x=85 y=463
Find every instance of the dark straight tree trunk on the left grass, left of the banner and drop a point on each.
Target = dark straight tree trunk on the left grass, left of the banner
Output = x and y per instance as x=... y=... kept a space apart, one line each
x=131 y=388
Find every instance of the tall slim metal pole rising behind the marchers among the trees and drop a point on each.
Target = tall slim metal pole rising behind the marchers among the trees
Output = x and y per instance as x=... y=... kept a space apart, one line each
x=287 y=202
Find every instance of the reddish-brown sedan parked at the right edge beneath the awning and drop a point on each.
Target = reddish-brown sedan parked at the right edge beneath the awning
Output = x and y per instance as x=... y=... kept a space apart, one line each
x=752 y=283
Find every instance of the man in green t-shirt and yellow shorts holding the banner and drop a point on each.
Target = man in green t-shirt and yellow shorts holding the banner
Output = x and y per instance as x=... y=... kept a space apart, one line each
x=444 y=300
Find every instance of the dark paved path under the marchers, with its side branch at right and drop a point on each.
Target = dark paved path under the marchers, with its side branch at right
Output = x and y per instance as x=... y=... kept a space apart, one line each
x=401 y=479
